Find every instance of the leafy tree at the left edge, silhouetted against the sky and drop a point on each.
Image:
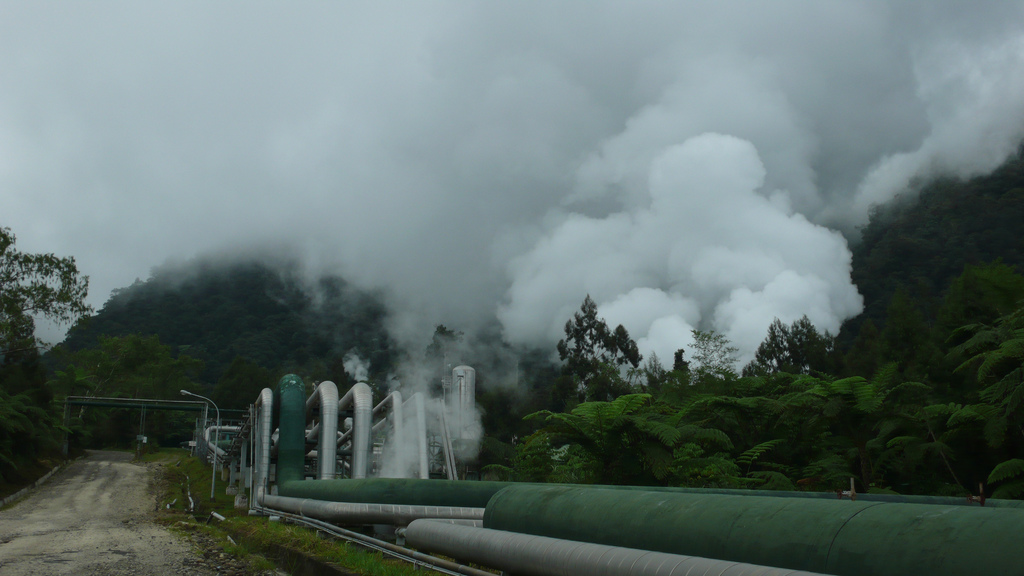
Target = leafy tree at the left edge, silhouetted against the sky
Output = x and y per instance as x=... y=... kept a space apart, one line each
x=35 y=285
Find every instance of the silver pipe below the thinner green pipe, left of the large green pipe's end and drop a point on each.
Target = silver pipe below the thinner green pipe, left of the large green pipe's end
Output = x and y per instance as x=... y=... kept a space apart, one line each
x=362 y=514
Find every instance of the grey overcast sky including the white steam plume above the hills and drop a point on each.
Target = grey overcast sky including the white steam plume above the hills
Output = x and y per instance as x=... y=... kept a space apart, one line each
x=688 y=164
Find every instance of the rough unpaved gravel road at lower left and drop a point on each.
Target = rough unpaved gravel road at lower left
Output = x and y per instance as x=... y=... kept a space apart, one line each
x=93 y=518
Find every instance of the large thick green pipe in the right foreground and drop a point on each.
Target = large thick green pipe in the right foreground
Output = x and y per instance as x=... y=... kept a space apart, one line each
x=829 y=537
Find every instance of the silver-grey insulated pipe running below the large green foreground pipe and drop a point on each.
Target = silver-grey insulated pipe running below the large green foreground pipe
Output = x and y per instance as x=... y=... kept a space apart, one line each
x=538 y=556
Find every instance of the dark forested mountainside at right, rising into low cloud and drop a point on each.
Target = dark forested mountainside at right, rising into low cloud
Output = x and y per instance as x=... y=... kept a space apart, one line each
x=921 y=242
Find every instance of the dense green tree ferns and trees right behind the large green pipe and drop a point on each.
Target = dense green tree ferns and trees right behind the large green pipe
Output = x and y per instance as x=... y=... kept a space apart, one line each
x=703 y=425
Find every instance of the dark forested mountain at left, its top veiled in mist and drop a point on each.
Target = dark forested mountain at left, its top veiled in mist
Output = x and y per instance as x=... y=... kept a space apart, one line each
x=268 y=316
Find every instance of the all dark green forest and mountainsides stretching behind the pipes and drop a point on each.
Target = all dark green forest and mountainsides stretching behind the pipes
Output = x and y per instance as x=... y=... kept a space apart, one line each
x=921 y=394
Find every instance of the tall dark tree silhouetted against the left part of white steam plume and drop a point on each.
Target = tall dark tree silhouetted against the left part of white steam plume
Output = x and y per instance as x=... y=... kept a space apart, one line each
x=593 y=354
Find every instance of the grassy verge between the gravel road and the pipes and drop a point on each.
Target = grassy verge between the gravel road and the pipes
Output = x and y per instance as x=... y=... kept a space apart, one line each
x=255 y=537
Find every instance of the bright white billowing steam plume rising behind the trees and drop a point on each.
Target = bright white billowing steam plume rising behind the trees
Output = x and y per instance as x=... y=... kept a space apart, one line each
x=703 y=250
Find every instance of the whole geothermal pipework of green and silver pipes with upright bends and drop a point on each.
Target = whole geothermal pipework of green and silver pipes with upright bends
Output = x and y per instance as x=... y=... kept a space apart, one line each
x=327 y=458
